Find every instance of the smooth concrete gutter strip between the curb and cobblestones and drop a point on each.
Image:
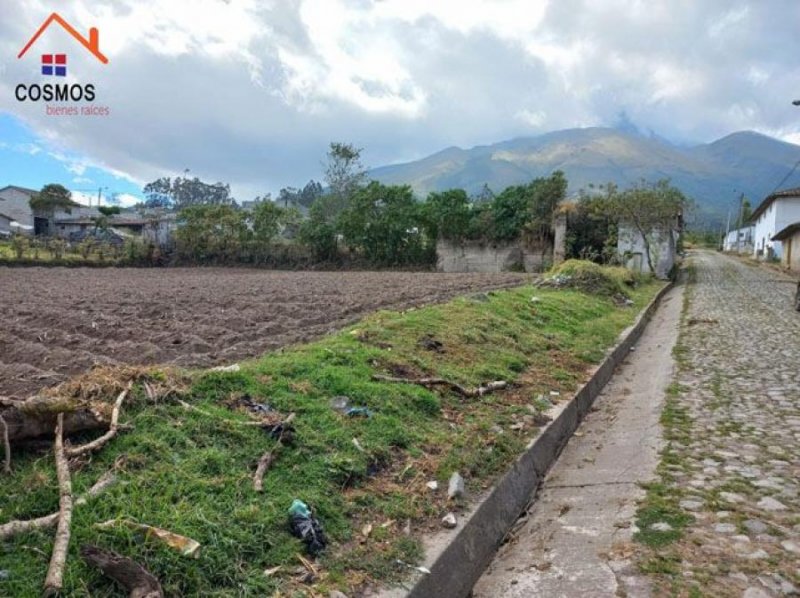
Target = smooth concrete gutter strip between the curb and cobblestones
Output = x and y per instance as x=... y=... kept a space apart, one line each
x=587 y=502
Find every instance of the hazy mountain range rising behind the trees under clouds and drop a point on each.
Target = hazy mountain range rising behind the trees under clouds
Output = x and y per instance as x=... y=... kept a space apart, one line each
x=712 y=174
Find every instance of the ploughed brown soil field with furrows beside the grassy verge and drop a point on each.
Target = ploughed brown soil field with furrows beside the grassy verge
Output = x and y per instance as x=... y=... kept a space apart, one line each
x=56 y=322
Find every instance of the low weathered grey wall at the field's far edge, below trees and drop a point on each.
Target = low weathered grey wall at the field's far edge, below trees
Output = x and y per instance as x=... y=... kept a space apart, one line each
x=474 y=256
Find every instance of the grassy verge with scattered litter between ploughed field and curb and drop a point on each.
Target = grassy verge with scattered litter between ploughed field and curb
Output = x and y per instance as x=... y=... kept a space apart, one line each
x=191 y=473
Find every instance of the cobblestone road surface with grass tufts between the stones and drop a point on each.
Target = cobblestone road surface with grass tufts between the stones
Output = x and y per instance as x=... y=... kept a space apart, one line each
x=738 y=472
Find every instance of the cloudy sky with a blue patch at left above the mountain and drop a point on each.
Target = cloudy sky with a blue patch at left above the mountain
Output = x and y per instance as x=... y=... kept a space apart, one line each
x=251 y=92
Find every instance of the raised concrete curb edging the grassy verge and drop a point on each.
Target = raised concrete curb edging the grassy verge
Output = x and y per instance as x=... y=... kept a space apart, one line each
x=460 y=561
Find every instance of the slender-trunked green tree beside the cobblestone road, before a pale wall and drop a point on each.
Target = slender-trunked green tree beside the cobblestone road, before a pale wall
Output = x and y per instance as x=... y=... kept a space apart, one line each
x=651 y=210
